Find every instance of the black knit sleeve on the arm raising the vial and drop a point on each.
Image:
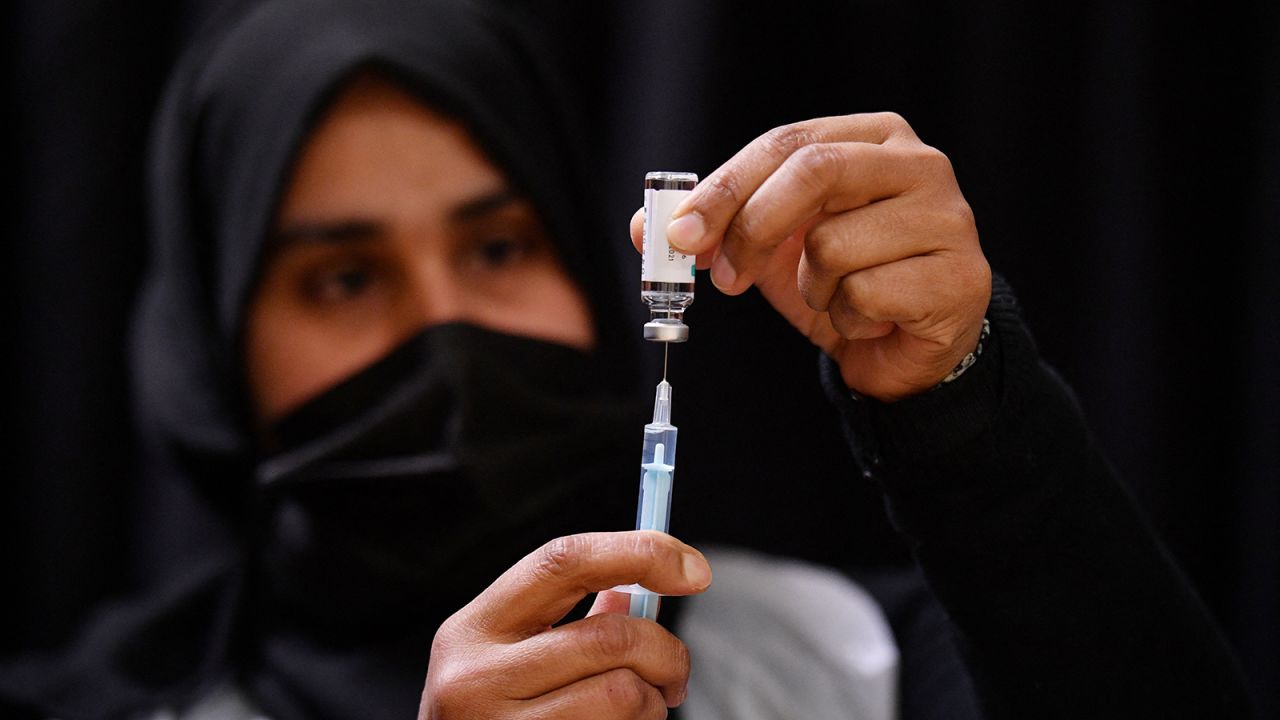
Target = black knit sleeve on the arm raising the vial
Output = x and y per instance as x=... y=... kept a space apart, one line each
x=1063 y=601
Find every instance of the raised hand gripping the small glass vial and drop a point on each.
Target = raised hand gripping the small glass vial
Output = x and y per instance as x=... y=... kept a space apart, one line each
x=858 y=234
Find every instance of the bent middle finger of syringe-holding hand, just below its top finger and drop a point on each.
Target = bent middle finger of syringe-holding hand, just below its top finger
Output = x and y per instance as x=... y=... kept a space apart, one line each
x=593 y=646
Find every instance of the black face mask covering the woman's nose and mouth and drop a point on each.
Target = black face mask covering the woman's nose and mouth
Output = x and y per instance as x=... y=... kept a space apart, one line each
x=392 y=500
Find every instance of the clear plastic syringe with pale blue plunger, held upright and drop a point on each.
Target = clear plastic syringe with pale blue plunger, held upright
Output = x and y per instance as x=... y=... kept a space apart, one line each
x=657 y=472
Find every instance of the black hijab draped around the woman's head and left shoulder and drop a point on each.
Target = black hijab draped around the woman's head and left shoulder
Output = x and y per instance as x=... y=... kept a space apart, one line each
x=236 y=113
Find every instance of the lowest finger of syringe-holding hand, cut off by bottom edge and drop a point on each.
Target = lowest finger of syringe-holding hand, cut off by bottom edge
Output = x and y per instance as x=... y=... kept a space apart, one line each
x=616 y=695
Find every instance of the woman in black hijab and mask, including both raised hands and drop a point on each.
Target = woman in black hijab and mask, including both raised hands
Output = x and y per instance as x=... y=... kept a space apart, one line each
x=382 y=359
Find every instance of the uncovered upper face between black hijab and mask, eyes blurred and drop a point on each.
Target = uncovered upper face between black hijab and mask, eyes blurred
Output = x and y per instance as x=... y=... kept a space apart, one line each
x=395 y=221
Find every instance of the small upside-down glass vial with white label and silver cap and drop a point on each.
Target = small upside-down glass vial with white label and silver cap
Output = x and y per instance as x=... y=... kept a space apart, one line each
x=666 y=275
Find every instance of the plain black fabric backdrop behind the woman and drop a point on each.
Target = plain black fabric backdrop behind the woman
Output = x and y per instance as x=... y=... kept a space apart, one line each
x=1123 y=162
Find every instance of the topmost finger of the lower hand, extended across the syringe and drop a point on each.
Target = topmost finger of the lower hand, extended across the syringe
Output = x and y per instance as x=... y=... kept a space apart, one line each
x=547 y=584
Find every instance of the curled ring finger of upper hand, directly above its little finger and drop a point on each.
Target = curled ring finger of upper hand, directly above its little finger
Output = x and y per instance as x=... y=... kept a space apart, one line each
x=889 y=231
